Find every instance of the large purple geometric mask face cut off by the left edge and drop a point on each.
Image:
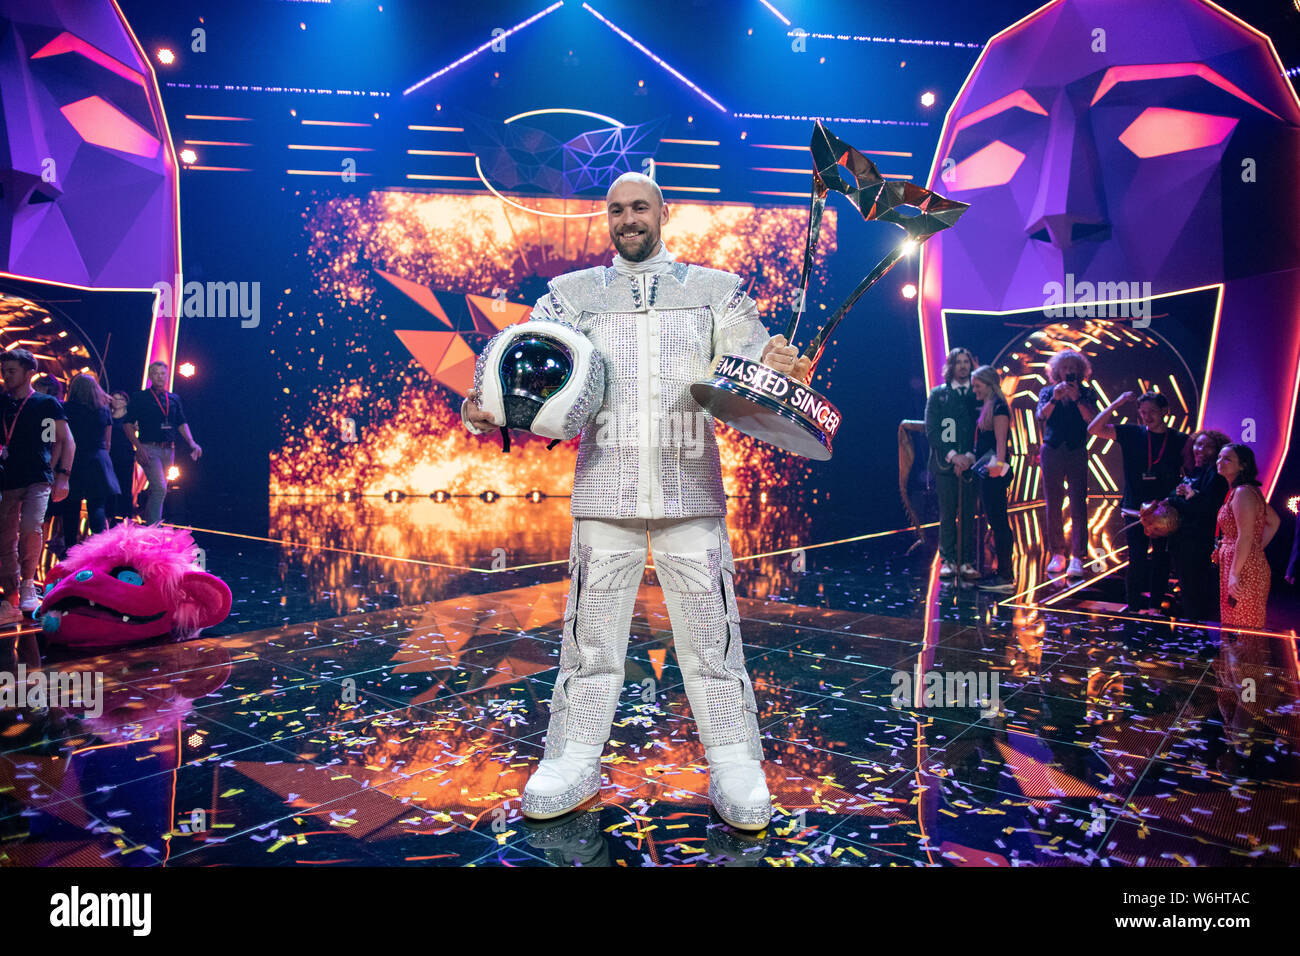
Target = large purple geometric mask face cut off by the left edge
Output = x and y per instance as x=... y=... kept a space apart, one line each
x=89 y=180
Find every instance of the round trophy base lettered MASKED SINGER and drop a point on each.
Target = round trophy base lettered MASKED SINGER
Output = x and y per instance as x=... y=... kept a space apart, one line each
x=770 y=406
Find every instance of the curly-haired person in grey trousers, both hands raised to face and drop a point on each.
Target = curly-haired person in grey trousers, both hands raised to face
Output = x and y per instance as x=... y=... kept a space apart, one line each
x=1067 y=405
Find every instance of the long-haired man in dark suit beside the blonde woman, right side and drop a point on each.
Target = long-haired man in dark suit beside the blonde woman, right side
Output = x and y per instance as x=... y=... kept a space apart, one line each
x=951 y=416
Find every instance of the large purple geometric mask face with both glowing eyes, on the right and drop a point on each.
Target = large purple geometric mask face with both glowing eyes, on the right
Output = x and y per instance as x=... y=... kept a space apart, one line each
x=1147 y=141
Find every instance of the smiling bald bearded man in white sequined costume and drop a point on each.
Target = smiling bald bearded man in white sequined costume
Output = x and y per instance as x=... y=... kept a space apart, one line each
x=648 y=468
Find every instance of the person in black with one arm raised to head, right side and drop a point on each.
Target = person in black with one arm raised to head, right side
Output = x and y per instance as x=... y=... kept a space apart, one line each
x=1152 y=458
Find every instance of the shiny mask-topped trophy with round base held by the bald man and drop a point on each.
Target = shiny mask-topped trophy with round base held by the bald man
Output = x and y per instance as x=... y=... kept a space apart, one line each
x=782 y=410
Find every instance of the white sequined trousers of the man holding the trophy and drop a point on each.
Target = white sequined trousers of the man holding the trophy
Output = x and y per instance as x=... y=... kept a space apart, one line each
x=694 y=561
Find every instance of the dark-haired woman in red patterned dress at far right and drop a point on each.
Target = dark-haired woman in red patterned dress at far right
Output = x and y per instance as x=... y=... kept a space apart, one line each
x=1246 y=526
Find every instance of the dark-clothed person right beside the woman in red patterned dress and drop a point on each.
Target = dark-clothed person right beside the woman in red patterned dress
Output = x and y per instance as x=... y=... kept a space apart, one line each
x=1198 y=500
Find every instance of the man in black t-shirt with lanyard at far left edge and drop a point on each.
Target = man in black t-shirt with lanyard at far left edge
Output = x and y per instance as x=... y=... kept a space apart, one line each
x=37 y=457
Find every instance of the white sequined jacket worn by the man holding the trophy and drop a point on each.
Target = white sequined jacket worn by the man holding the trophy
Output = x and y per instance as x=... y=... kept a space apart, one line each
x=651 y=451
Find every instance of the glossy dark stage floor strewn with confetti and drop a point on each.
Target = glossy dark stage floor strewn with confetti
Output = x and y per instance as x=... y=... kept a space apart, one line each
x=365 y=708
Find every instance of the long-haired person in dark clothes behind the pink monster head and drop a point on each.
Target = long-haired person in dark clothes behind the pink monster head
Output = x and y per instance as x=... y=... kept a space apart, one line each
x=93 y=478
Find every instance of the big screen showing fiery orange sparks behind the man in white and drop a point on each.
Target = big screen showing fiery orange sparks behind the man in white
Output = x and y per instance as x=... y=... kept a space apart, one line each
x=362 y=416
